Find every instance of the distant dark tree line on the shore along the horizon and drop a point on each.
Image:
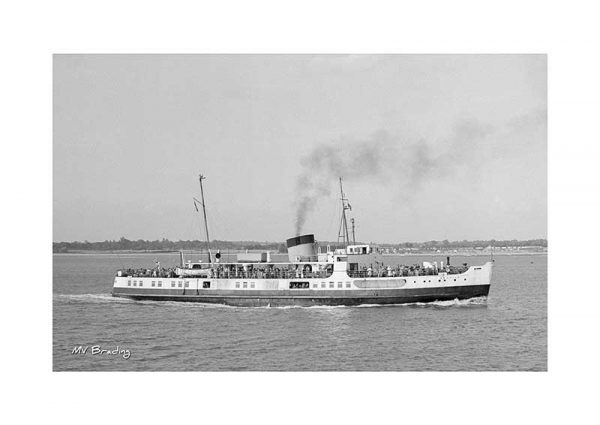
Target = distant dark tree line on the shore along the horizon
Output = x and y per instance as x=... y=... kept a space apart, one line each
x=124 y=244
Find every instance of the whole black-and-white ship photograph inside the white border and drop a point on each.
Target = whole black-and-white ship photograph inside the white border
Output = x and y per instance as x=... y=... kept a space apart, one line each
x=313 y=212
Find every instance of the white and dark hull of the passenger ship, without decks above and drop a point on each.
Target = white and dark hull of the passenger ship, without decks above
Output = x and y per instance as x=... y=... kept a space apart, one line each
x=337 y=289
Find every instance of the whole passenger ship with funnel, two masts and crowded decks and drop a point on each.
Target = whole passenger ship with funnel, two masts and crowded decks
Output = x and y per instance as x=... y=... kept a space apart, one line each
x=310 y=276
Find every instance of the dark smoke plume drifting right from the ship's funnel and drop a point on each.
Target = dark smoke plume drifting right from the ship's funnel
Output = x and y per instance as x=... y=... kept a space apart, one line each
x=384 y=159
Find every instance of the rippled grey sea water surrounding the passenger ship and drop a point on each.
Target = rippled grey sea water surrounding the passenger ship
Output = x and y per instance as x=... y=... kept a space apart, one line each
x=94 y=331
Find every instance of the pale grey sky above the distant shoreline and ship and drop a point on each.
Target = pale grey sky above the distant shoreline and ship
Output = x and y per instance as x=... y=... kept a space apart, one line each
x=430 y=147
